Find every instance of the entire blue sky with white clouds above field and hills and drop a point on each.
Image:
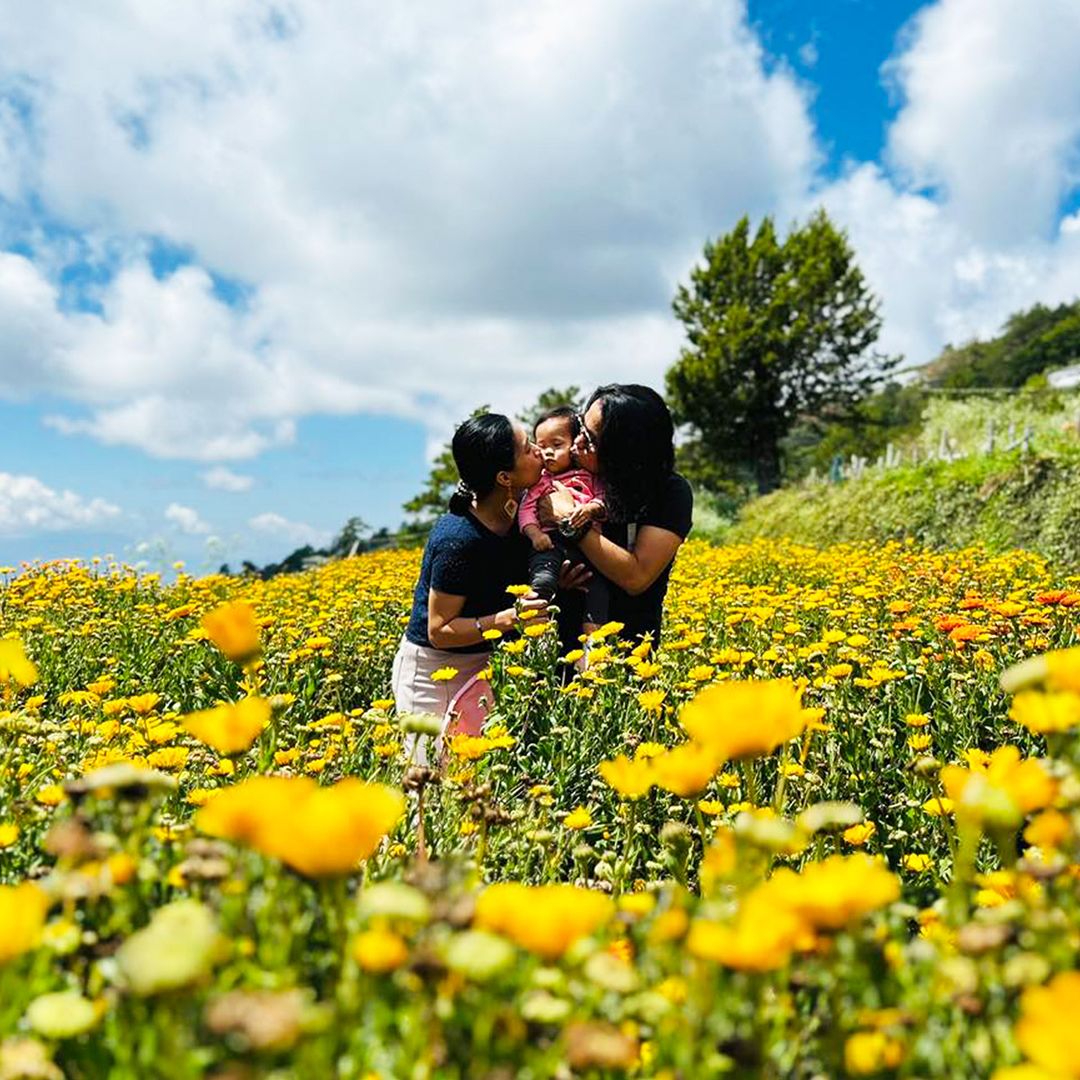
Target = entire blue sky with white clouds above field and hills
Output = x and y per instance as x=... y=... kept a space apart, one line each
x=256 y=259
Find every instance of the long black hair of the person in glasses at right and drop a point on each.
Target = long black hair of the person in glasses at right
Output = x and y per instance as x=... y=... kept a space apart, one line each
x=637 y=447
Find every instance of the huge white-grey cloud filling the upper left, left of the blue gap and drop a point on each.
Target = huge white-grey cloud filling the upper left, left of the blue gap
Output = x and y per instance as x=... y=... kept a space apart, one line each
x=491 y=197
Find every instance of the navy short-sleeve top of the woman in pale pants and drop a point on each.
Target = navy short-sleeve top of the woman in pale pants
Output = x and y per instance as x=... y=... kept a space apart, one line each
x=464 y=558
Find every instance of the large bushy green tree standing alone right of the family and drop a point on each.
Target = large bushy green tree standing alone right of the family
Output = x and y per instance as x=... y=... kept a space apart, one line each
x=776 y=331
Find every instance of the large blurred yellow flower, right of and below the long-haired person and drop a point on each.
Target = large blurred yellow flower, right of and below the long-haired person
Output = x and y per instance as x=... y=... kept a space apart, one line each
x=745 y=719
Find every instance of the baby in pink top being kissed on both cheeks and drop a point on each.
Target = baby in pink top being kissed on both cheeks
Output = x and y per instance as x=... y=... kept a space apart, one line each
x=555 y=434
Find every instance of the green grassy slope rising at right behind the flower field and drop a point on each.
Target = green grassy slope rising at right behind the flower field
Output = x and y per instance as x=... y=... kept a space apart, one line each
x=1003 y=502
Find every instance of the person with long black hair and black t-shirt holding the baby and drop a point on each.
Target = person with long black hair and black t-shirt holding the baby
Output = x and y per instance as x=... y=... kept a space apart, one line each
x=628 y=438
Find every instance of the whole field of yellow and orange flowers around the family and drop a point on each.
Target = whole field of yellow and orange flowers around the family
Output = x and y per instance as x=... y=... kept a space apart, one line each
x=830 y=827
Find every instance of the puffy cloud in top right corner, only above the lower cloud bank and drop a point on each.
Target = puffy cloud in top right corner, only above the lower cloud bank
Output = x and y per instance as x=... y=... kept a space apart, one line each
x=991 y=113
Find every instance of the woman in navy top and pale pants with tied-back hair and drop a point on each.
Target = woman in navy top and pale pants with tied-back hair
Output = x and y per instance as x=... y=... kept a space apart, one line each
x=472 y=556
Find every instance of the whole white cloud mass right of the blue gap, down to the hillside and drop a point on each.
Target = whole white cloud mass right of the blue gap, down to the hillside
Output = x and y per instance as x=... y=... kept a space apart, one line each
x=991 y=115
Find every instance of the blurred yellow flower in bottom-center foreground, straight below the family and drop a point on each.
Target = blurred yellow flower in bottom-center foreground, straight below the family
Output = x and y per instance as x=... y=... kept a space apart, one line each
x=544 y=920
